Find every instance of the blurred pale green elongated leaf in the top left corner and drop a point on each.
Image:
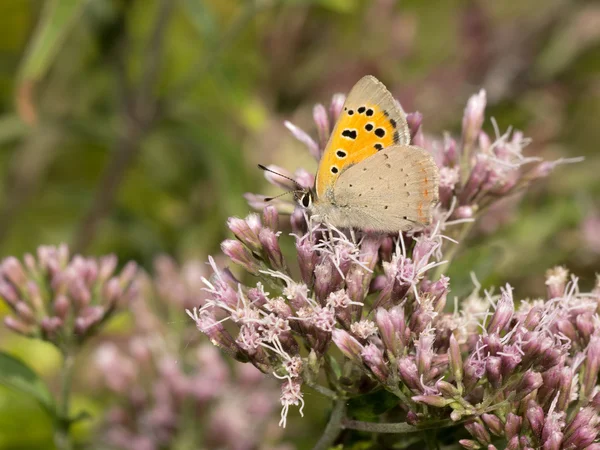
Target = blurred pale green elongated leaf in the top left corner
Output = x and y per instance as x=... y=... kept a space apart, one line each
x=57 y=19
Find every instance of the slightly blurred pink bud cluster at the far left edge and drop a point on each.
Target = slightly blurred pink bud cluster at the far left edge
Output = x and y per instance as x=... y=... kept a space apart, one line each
x=61 y=299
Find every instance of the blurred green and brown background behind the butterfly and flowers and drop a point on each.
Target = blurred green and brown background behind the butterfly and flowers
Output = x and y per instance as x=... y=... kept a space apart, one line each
x=135 y=126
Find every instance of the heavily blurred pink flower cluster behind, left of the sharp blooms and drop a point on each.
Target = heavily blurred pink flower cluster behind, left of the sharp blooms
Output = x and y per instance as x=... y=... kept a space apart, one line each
x=165 y=386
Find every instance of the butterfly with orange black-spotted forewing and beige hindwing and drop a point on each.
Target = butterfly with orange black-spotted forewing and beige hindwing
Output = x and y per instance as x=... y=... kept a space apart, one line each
x=369 y=176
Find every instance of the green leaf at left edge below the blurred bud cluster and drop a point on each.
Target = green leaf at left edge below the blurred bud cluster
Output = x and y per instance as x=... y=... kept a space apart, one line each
x=16 y=375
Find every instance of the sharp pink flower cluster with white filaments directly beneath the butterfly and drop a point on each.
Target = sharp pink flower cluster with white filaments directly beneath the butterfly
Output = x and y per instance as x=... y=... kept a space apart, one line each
x=325 y=305
